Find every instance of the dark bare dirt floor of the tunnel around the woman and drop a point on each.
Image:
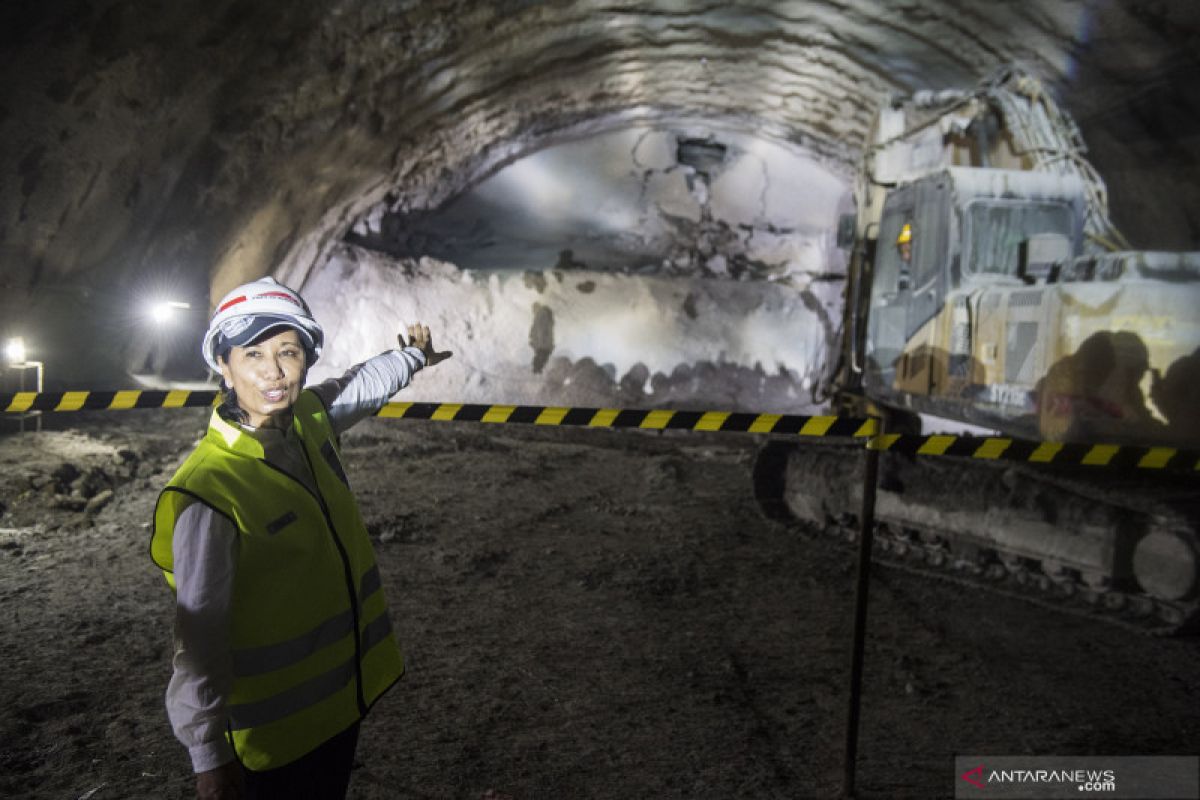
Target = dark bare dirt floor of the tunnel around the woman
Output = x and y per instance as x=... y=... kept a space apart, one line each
x=585 y=615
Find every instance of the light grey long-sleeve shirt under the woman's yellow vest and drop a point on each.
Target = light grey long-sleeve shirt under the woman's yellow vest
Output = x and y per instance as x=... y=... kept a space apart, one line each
x=206 y=546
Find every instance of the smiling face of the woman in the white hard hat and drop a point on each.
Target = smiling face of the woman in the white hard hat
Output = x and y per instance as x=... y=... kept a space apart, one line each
x=267 y=377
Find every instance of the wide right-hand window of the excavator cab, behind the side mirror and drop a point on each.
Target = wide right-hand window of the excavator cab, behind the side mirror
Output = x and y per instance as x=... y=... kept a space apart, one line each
x=998 y=230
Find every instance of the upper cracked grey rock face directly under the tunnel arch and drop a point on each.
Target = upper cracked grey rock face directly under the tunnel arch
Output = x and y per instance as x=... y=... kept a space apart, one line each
x=688 y=200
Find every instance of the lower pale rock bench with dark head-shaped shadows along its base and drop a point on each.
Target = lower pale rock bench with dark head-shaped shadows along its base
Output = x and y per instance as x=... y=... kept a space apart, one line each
x=581 y=338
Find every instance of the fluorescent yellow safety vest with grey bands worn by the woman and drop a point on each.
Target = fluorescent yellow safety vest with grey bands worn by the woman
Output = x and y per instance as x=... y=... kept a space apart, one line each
x=311 y=639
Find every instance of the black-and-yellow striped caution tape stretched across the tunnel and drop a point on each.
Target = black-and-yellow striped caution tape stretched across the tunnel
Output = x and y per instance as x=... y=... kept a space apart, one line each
x=983 y=448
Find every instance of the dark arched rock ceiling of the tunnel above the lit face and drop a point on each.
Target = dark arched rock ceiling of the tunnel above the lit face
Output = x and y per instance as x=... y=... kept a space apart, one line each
x=211 y=142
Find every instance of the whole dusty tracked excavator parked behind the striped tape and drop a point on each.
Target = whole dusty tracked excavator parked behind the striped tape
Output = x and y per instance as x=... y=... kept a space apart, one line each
x=989 y=292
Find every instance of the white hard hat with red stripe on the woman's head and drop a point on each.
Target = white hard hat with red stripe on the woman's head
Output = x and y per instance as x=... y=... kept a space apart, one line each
x=251 y=310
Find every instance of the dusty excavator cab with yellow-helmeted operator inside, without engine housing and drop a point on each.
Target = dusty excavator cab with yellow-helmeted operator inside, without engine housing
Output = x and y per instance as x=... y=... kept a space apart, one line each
x=974 y=233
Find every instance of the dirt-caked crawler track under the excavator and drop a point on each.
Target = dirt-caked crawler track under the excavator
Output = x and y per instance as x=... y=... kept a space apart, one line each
x=1073 y=542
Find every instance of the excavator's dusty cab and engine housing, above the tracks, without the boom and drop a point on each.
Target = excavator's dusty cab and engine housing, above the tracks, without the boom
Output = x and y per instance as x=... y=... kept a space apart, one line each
x=985 y=308
